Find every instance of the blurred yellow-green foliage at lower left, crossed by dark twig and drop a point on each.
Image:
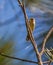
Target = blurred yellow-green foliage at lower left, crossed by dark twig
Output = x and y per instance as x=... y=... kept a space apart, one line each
x=7 y=50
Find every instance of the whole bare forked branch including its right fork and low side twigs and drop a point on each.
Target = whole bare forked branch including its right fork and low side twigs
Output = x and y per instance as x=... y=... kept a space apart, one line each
x=38 y=54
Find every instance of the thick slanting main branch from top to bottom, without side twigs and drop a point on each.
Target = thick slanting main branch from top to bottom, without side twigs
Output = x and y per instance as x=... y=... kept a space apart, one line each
x=30 y=33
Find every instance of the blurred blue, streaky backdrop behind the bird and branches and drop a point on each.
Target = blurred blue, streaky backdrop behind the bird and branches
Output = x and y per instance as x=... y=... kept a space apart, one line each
x=13 y=30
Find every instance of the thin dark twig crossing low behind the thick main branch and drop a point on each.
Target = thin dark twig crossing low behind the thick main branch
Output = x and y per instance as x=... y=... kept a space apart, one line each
x=15 y=58
